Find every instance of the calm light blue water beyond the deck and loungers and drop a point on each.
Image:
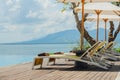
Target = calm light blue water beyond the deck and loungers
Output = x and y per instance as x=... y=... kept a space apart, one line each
x=15 y=54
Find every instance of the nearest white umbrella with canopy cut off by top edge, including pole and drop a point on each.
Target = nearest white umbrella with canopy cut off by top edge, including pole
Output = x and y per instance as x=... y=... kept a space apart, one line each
x=83 y=1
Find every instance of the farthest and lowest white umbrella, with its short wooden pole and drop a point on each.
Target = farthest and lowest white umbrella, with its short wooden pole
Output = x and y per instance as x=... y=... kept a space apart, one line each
x=105 y=18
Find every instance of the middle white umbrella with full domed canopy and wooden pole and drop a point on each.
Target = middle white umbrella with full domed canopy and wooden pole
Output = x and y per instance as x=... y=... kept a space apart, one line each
x=100 y=8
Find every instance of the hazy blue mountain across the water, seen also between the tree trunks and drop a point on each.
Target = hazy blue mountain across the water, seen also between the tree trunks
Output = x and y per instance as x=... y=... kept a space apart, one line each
x=68 y=36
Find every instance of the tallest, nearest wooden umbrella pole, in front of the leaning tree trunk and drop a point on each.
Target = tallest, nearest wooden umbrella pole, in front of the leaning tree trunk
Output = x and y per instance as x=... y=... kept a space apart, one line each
x=82 y=28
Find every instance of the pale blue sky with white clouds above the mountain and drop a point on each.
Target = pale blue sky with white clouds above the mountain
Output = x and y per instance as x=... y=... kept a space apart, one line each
x=22 y=20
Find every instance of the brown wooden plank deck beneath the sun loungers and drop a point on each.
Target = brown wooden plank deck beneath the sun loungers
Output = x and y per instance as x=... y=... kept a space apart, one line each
x=63 y=70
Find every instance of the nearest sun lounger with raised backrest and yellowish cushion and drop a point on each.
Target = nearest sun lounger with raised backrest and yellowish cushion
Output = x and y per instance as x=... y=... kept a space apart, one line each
x=87 y=57
